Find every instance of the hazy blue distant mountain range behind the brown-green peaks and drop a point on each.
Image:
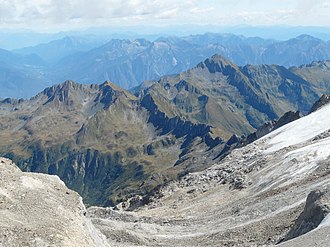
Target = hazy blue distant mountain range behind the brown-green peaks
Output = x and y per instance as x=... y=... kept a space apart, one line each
x=130 y=62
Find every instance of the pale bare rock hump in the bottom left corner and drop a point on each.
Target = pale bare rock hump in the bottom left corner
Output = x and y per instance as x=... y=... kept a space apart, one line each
x=39 y=210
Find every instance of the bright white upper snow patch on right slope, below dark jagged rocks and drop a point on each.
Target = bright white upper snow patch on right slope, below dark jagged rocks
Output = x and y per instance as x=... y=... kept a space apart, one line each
x=300 y=130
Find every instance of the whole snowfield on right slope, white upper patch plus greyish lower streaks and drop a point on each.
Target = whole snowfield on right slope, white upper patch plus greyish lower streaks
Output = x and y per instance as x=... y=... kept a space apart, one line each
x=298 y=162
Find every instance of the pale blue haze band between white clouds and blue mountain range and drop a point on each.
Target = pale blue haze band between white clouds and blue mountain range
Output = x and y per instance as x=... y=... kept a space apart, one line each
x=20 y=38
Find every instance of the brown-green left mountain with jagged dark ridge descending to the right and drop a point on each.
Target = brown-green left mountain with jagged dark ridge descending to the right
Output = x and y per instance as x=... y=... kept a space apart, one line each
x=98 y=138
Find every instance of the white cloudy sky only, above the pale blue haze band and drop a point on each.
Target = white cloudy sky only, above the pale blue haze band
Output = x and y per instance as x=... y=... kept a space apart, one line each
x=60 y=15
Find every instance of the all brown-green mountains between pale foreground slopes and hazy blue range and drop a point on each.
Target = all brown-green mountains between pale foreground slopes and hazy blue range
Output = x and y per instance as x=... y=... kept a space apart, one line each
x=108 y=143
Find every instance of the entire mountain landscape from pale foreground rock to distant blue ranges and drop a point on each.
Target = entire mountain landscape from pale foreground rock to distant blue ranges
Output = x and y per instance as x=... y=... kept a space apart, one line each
x=198 y=140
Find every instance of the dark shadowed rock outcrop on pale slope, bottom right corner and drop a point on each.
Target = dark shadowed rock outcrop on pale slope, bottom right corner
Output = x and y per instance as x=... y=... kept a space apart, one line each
x=316 y=209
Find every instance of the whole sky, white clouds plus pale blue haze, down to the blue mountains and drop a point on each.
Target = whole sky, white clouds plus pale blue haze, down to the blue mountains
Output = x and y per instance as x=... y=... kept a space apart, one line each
x=28 y=23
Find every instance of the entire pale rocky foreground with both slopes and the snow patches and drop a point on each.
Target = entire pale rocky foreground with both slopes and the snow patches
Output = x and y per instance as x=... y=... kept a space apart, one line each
x=272 y=192
